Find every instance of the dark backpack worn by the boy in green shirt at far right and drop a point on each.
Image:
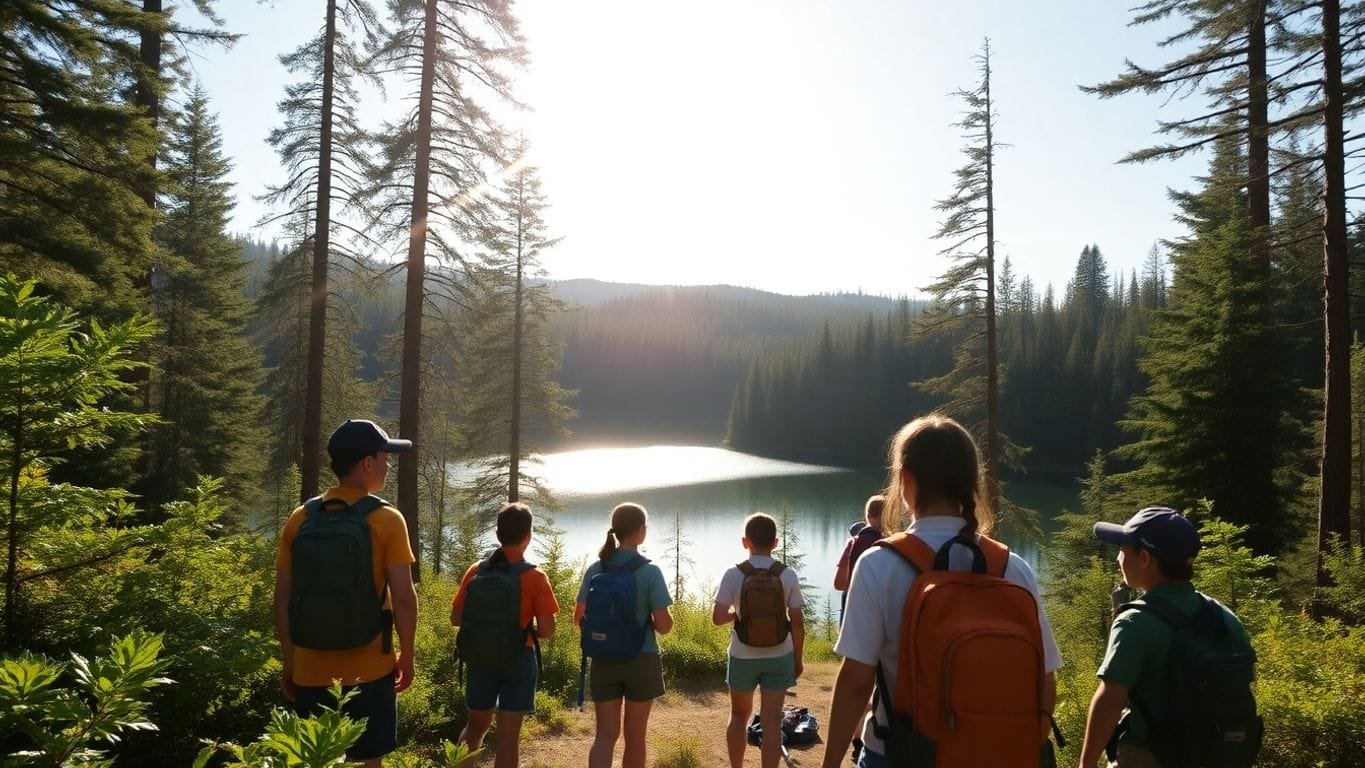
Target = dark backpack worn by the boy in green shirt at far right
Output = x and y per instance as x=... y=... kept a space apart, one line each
x=1210 y=717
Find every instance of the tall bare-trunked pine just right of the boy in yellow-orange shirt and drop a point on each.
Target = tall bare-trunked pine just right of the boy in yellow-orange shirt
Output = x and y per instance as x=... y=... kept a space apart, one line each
x=435 y=160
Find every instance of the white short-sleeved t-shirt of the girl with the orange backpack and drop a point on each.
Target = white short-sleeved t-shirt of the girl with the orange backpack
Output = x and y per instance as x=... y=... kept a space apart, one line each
x=877 y=598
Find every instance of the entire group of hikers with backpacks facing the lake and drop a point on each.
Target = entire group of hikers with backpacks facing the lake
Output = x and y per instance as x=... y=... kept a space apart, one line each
x=948 y=657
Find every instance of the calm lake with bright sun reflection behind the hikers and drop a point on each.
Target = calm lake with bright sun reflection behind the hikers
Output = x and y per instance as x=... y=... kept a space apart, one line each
x=713 y=490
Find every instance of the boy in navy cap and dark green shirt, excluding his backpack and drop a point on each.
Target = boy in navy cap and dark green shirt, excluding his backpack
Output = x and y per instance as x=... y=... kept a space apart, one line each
x=1157 y=556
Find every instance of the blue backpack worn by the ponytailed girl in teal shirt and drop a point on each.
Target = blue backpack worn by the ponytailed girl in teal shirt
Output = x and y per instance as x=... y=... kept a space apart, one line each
x=609 y=631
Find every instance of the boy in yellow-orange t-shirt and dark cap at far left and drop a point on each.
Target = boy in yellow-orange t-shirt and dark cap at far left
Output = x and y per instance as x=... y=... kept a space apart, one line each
x=313 y=655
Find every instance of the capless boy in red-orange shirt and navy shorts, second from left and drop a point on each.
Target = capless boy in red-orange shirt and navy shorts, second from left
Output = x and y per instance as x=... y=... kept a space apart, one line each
x=499 y=677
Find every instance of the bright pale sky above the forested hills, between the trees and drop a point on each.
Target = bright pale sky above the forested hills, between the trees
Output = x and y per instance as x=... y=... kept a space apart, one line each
x=788 y=145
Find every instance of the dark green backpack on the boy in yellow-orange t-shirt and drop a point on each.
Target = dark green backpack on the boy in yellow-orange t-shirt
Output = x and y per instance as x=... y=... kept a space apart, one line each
x=334 y=602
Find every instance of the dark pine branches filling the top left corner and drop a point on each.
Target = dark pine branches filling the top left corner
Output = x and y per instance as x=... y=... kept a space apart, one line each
x=76 y=153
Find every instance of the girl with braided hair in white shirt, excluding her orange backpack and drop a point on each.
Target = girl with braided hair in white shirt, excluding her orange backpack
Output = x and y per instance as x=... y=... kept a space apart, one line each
x=936 y=481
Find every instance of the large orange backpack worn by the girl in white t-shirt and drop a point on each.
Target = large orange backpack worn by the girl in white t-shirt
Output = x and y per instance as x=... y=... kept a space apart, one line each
x=970 y=681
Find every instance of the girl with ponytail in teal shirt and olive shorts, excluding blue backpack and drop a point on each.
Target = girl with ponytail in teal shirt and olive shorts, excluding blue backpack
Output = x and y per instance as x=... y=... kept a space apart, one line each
x=623 y=692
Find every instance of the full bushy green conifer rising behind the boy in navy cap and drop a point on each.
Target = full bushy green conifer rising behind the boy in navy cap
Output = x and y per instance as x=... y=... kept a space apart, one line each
x=1211 y=424
